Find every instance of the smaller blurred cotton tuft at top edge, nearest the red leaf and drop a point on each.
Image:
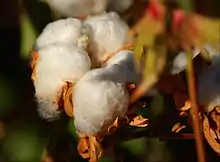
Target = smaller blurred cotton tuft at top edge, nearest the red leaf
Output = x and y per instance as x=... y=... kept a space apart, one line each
x=120 y=6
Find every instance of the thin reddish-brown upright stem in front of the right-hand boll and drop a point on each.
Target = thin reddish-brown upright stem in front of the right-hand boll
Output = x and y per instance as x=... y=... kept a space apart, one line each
x=195 y=111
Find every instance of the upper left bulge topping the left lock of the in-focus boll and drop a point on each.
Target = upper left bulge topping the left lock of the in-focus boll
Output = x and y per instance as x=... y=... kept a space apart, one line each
x=64 y=30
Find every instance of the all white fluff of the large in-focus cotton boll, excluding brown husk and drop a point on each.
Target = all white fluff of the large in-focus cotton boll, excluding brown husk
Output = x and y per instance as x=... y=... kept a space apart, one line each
x=66 y=50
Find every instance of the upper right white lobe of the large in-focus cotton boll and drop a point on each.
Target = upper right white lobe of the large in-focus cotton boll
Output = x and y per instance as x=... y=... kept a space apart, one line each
x=108 y=33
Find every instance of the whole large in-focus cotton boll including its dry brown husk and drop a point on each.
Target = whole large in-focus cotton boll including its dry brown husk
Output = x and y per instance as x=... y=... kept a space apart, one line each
x=62 y=58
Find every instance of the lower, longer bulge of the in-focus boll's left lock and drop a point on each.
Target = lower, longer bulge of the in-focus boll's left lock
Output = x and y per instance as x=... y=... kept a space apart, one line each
x=58 y=63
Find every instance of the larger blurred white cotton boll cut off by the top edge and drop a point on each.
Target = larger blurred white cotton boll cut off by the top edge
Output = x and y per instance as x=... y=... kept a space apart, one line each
x=77 y=8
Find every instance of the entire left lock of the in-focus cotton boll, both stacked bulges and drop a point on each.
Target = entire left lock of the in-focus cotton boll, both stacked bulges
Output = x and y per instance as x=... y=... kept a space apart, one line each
x=61 y=59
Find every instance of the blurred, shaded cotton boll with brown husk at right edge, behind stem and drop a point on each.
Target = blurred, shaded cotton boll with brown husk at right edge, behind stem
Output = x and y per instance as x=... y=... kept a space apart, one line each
x=207 y=91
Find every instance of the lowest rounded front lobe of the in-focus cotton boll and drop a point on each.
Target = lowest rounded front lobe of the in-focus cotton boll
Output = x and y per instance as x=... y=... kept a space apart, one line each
x=99 y=98
